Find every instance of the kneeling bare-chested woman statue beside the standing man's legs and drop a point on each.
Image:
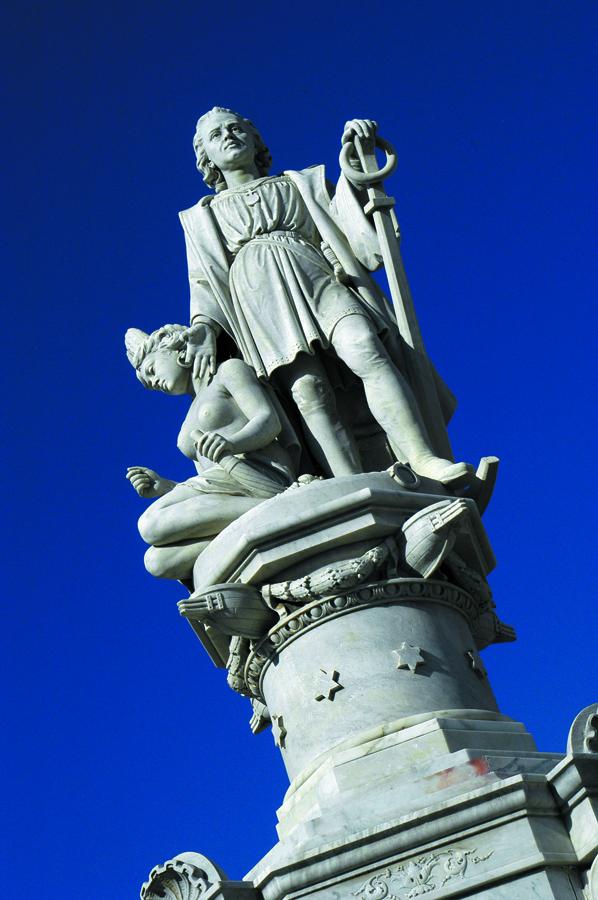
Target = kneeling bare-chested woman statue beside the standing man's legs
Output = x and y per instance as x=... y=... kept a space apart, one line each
x=234 y=422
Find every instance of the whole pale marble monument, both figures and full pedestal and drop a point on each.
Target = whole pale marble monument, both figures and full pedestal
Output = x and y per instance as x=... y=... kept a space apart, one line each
x=334 y=554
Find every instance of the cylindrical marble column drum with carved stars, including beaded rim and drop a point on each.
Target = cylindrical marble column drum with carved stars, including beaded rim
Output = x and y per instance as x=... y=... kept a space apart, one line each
x=396 y=650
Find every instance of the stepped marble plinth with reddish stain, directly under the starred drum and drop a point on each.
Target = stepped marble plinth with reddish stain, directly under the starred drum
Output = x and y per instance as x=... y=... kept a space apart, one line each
x=403 y=768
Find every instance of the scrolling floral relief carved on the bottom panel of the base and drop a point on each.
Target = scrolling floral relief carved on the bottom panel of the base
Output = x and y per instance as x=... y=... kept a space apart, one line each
x=420 y=876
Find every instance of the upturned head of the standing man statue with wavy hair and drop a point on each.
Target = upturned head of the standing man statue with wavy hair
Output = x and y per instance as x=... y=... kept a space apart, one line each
x=224 y=139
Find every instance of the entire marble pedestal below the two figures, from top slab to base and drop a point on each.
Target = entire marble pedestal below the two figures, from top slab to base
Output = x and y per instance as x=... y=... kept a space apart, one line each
x=406 y=780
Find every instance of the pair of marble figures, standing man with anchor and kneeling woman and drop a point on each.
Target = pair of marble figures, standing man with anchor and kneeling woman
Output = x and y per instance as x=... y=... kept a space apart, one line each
x=279 y=275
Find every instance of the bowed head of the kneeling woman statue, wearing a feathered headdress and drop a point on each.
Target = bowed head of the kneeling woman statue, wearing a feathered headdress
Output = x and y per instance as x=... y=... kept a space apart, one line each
x=159 y=358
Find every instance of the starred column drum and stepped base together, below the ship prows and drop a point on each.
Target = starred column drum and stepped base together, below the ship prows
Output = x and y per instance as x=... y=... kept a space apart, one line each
x=392 y=794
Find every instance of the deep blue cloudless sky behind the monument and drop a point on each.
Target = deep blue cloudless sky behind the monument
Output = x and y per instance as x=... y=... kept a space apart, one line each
x=124 y=744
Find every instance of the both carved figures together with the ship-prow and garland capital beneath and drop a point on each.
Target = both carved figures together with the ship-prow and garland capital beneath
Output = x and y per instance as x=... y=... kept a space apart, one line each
x=284 y=319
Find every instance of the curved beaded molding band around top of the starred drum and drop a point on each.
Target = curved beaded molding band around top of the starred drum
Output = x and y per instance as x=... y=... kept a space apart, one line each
x=383 y=593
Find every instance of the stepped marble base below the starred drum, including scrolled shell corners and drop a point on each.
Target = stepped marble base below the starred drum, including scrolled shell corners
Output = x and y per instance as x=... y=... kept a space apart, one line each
x=458 y=805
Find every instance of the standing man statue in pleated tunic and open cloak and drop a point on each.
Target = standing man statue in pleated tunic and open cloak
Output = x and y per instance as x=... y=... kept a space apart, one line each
x=281 y=267
